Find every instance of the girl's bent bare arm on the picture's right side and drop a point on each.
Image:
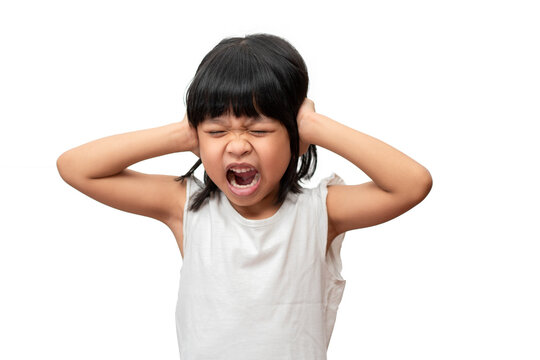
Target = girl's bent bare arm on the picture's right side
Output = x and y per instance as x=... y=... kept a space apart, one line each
x=399 y=183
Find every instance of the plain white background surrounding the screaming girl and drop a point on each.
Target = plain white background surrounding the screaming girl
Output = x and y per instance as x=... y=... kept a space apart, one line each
x=453 y=84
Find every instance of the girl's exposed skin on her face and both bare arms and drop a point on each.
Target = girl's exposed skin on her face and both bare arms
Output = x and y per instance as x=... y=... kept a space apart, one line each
x=99 y=169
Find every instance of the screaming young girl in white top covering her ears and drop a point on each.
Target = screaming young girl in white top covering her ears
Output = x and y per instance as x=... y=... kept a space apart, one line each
x=260 y=277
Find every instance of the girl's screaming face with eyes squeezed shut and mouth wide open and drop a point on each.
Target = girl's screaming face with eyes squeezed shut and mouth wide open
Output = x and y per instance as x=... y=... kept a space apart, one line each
x=246 y=158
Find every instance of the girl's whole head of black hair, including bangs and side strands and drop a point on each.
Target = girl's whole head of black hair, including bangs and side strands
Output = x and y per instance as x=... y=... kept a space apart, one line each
x=253 y=75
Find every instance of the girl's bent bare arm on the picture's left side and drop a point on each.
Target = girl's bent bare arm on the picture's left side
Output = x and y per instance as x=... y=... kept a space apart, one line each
x=99 y=170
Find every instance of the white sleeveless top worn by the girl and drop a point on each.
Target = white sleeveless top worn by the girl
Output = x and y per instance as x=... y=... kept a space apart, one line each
x=258 y=289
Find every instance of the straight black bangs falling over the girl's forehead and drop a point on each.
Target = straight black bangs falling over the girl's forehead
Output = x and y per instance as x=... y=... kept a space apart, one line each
x=238 y=81
